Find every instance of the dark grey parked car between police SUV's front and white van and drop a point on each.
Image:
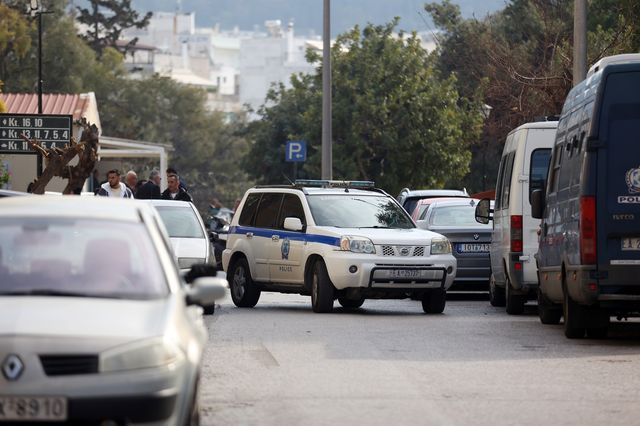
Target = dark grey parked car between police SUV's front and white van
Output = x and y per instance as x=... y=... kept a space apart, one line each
x=470 y=240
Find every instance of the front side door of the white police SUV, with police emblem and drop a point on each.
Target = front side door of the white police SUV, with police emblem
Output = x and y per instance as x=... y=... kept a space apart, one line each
x=286 y=251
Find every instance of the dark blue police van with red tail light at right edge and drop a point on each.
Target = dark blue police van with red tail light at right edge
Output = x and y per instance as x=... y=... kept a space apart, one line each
x=589 y=252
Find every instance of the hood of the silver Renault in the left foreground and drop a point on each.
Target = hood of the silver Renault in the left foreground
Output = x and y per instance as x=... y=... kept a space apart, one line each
x=67 y=317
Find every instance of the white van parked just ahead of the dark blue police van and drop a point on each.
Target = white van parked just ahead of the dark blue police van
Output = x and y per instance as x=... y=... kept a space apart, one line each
x=514 y=241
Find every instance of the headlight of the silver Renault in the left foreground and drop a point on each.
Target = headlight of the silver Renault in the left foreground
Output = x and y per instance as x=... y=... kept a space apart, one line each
x=147 y=353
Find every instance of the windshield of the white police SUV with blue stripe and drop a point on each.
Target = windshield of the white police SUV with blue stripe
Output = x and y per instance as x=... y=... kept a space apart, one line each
x=358 y=211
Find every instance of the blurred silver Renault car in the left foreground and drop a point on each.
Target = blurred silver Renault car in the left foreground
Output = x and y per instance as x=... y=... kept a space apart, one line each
x=96 y=324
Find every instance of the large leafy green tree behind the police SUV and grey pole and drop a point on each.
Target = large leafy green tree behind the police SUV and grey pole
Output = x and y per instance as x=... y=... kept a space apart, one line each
x=396 y=120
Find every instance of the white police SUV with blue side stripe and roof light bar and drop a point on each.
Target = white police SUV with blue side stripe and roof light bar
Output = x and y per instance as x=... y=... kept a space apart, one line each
x=334 y=240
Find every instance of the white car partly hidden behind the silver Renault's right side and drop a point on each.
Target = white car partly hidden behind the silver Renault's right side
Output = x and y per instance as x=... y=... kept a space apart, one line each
x=189 y=238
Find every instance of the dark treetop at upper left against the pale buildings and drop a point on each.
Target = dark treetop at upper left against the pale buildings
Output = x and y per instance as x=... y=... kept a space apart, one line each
x=107 y=19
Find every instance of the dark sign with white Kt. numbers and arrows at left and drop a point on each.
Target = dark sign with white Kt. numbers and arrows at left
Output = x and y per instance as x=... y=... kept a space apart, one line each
x=51 y=131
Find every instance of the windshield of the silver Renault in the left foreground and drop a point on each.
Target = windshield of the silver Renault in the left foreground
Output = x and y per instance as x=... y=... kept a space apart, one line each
x=81 y=258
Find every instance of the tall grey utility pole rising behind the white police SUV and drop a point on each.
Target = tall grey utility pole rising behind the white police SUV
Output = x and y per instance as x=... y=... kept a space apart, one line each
x=327 y=155
